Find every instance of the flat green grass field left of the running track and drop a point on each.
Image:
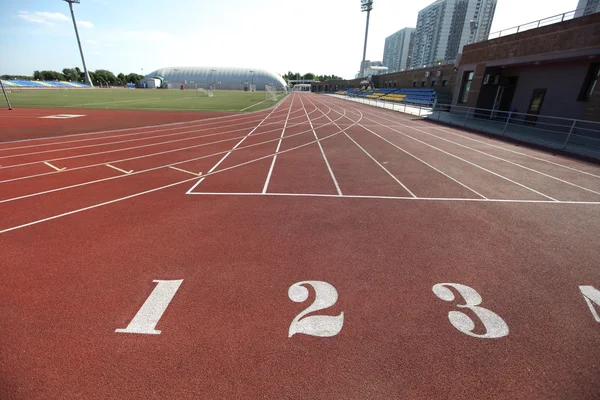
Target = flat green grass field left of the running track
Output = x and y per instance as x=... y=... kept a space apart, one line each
x=140 y=99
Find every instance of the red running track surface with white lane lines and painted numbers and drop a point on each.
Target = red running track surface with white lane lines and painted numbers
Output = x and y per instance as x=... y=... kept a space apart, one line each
x=381 y=206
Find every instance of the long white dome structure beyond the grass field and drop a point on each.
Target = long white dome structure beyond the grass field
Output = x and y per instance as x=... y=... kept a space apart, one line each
x=212 y=77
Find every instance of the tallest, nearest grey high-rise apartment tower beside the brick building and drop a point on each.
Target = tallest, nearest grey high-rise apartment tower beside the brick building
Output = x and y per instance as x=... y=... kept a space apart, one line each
x=444 y=28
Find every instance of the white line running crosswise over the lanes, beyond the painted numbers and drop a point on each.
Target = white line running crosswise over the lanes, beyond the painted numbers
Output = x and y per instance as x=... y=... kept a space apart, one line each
x=335 y=196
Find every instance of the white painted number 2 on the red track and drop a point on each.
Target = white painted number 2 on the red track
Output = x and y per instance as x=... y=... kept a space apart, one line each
x=315 y=325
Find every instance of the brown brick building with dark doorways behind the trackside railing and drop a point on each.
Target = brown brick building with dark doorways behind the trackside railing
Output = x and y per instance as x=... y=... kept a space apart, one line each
x=553 y=70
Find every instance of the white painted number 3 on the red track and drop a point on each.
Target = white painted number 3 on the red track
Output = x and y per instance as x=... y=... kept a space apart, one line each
x=493 y=323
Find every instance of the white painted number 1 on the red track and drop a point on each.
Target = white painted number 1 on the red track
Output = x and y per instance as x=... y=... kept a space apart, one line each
x=147 y=317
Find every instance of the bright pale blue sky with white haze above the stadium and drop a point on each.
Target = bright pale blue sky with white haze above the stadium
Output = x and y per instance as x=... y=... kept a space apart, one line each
x=318 y=36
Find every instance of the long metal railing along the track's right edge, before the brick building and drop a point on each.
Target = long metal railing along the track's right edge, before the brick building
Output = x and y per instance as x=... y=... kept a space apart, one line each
x=572 y=135
